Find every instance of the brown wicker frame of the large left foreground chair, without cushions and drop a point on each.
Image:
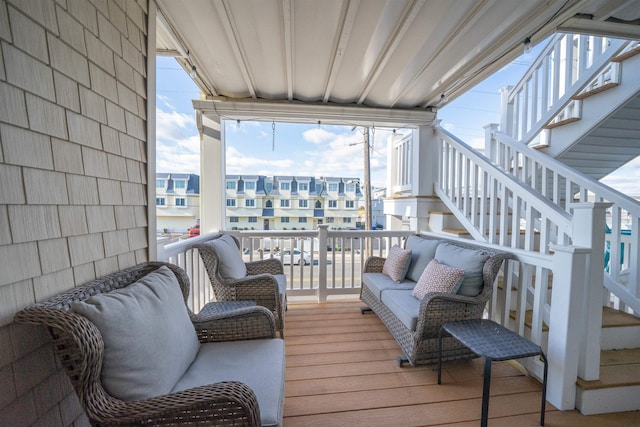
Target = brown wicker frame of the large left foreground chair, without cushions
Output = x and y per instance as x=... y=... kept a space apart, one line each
x=80 y=348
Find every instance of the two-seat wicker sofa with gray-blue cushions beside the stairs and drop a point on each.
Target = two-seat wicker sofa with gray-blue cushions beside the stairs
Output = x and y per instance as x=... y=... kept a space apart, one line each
x=415 y=323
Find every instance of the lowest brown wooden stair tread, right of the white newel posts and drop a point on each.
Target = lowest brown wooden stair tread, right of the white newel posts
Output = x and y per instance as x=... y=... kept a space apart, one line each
x=622 y=370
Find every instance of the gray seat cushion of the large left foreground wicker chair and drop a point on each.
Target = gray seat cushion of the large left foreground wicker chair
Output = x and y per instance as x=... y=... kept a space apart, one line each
x=260 y=364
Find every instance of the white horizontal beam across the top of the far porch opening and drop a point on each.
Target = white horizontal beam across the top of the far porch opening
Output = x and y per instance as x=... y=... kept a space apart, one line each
x=299 y=112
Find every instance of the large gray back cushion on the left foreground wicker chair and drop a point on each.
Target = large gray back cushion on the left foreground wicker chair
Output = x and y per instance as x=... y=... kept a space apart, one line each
x=149 y=340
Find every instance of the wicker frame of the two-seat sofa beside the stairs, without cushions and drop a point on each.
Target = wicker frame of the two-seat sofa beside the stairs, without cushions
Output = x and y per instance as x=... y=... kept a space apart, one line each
x=421 y=346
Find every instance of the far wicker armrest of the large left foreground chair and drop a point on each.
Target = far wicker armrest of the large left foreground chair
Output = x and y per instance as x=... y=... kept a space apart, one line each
x=239 y=324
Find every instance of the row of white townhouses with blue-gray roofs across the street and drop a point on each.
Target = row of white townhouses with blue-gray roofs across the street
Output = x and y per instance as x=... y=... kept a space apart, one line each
x=259 y=202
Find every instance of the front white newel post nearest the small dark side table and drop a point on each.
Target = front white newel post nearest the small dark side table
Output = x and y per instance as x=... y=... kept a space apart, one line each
x=565 y=323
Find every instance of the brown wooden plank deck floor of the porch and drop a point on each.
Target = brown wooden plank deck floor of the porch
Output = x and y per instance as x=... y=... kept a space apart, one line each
x=341 y=371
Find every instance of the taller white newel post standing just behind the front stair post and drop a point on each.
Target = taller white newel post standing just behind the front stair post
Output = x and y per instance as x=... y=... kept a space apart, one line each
x=589 y=220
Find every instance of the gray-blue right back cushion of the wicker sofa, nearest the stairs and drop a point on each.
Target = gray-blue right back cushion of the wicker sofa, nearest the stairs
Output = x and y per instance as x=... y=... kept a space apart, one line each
x=470 y=260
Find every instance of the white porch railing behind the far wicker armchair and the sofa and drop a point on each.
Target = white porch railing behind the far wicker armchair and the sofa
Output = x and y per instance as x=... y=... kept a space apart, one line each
x=332 y=266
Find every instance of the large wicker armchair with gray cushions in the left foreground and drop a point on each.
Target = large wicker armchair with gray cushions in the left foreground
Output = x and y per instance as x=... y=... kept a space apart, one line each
x=136 y=355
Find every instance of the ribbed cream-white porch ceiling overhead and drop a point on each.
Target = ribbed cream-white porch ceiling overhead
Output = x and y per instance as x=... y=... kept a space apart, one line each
x=381 y=54
